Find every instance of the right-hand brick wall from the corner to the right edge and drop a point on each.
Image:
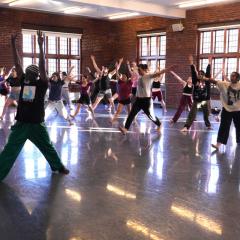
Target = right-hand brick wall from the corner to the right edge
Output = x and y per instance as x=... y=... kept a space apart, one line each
x=179 y=44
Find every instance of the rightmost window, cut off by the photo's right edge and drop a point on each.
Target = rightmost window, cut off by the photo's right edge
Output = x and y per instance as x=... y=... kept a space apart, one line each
x=222 y=45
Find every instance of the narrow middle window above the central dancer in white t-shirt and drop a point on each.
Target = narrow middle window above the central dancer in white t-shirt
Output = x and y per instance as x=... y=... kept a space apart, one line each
x=152 y=50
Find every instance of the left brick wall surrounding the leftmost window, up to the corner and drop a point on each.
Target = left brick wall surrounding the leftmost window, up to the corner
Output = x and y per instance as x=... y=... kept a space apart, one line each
x=97 y=37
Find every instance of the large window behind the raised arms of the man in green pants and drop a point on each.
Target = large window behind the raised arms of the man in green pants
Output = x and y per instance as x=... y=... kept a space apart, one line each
x=61 y=50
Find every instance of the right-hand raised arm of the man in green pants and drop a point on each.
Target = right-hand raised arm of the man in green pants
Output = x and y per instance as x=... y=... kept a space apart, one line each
x=42 y=68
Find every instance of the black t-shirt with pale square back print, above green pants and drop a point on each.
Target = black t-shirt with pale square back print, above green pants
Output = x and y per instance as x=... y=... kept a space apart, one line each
x=31 y=101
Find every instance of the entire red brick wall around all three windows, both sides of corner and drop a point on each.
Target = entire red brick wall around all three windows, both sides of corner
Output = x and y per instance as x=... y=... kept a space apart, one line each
x=111 y=40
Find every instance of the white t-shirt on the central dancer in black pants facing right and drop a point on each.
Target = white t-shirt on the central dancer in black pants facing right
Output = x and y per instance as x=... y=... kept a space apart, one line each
x=144 y=86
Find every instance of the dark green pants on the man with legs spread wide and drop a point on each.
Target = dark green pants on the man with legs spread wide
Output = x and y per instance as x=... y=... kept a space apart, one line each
x=37 y=134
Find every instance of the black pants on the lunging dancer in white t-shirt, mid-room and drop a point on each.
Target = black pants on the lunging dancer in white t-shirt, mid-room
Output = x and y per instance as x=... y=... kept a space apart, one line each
x=141 y=104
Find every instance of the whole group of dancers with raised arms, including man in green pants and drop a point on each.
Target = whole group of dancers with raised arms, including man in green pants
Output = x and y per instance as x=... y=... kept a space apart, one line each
x=135 y=89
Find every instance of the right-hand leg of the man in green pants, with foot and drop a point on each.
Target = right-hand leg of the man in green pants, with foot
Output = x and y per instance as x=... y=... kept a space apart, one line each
x=42 y=141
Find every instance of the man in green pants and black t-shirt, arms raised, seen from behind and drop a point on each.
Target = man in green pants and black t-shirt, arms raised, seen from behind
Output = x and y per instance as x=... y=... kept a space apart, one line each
x=30 y=115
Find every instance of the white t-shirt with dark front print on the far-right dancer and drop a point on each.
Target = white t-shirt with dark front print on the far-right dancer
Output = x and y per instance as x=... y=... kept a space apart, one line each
x=229 y=95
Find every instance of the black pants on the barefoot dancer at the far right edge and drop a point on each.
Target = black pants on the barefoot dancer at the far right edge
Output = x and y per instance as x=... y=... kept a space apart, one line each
x=224 y=129
